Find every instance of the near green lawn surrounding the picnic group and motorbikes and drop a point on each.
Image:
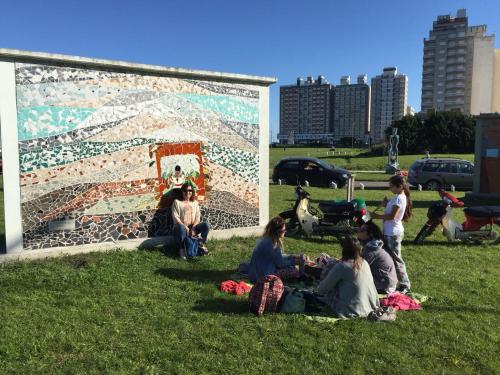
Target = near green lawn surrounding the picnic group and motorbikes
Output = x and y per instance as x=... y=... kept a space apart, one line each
x=147 y=312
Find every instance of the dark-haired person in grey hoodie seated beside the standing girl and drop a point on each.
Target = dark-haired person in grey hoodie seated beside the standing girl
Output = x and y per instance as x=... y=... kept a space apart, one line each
x=380 y=261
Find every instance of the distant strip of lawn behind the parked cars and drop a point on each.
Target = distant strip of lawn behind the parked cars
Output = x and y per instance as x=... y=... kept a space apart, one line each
x=353 y=160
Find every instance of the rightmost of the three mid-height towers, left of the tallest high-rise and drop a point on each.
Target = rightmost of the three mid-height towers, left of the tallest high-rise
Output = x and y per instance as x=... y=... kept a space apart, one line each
x=389 y=94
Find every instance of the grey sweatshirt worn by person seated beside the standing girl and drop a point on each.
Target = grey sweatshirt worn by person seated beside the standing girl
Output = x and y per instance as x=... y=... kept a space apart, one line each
x=381 y=265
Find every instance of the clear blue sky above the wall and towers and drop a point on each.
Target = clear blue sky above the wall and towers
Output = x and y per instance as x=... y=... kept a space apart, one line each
x=277 y=38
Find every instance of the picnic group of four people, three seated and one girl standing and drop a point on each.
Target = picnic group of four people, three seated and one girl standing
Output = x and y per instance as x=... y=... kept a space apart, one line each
x=370 y=263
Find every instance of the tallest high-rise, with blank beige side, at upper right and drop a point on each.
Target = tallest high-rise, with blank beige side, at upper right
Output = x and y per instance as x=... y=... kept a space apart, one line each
x=458 y=66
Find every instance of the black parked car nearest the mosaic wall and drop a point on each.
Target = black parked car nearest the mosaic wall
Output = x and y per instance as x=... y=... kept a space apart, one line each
x=293 y=170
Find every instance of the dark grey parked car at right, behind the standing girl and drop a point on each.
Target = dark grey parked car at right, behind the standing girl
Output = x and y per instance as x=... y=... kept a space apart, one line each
x=435 y=173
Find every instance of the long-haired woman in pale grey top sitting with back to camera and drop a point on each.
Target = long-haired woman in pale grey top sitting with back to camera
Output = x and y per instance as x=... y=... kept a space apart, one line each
x=348 y=288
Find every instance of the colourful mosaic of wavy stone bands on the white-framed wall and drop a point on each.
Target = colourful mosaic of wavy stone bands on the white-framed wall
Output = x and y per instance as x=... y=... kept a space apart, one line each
x=97 y=150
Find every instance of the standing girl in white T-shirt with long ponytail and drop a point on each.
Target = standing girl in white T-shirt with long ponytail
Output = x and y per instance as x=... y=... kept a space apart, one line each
x=397 y=210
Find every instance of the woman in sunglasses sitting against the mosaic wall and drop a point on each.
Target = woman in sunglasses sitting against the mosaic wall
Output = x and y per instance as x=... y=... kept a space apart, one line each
x=186 y=216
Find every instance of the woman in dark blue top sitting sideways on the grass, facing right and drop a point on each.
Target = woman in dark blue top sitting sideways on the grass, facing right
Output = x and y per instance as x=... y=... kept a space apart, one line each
x=268 y=258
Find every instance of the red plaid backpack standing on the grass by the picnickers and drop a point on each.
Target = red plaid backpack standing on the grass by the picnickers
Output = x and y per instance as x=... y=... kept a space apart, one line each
x=265 y=295
